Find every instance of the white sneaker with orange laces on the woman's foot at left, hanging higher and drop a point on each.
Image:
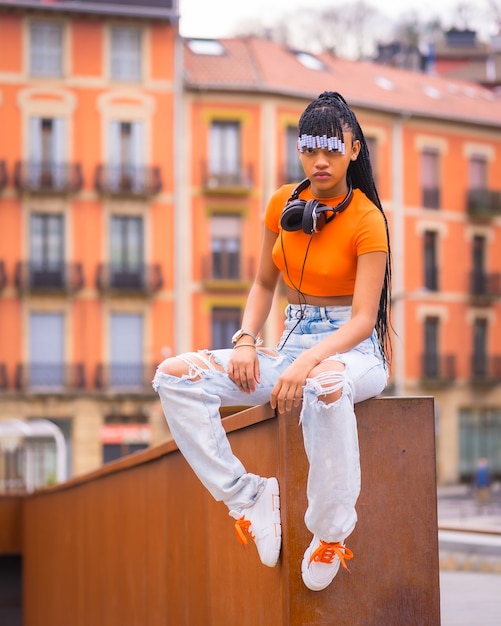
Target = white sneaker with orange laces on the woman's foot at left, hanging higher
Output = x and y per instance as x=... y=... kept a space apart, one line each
x=261 y=522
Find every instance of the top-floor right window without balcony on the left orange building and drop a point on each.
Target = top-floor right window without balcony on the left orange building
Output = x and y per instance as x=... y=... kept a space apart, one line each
x=125 y=53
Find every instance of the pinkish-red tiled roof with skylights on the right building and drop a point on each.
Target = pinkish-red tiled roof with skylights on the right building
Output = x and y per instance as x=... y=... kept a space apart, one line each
x=251 y=64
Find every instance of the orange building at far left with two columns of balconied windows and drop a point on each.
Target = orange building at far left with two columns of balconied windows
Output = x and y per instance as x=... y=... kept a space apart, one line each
x=87 y=99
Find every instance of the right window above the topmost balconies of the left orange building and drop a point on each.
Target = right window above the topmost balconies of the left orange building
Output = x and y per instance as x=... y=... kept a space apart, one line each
x=126 y=155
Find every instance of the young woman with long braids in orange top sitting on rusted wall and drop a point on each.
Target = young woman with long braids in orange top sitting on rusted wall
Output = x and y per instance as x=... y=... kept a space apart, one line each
x=328 y=238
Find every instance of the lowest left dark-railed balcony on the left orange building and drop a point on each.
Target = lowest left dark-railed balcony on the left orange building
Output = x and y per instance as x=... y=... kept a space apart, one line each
x=49 y=377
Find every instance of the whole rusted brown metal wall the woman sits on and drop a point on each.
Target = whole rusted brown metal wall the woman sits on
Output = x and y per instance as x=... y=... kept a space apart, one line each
x=140 y=542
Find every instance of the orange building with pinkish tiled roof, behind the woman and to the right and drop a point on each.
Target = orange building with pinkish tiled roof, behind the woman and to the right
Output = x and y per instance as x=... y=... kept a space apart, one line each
x=436 y=151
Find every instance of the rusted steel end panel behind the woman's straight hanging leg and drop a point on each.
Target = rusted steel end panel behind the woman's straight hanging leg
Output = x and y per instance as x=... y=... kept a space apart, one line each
x=395 y=570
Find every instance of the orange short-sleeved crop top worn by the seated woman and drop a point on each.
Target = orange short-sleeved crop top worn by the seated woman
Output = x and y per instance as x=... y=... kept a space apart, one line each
x=331 y=258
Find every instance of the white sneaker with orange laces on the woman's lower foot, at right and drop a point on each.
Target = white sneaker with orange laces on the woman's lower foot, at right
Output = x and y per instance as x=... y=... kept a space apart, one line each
x=321 y=563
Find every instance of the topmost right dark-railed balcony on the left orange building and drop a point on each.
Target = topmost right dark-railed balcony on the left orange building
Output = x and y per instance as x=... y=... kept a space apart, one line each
x=128 y=180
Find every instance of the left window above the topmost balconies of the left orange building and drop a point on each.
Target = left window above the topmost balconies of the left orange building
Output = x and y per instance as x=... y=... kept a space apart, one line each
x=47 y=152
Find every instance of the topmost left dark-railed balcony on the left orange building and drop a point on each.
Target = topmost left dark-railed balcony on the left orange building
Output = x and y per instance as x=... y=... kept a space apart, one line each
x=48 y=177
